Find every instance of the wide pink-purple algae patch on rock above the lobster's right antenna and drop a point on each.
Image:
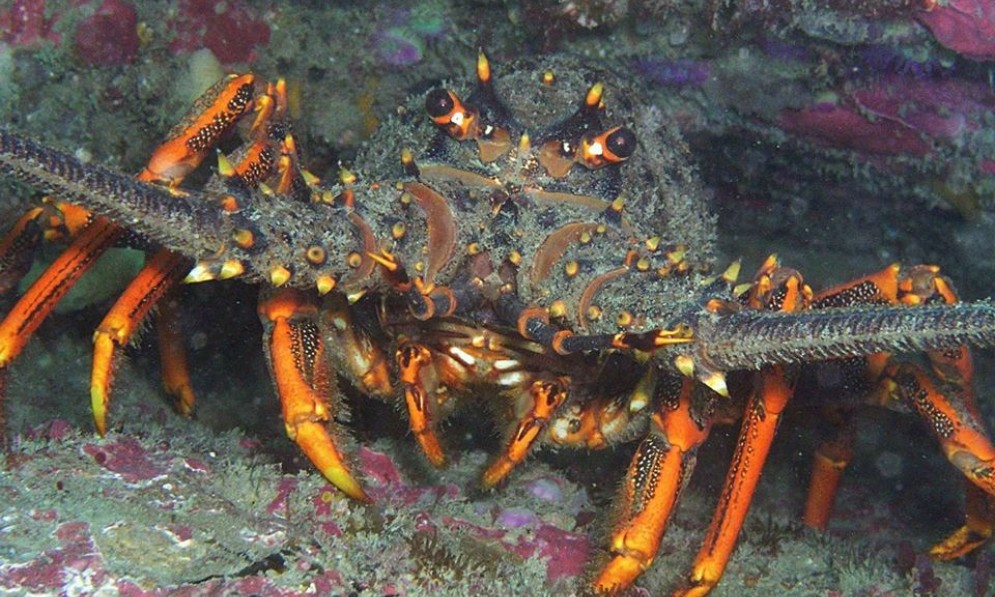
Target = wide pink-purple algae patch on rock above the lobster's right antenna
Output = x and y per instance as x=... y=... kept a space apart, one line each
x=896 y=116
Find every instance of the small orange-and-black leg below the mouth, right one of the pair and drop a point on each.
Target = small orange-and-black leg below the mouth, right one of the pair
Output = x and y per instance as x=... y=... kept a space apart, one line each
x=541 y=399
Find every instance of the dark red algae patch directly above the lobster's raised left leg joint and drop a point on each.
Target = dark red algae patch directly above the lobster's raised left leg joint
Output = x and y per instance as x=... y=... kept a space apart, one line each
x=230 y=29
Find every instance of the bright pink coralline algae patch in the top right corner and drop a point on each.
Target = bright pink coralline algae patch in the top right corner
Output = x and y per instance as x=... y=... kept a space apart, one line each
x=965 y=26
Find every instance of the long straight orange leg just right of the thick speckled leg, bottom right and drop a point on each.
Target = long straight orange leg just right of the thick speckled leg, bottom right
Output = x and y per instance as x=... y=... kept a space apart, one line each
x=762 y=415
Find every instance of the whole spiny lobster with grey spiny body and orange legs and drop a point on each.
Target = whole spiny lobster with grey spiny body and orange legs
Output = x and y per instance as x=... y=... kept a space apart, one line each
x=522 y=245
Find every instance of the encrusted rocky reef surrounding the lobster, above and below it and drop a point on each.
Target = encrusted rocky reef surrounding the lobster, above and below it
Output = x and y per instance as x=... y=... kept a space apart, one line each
x=223 y=504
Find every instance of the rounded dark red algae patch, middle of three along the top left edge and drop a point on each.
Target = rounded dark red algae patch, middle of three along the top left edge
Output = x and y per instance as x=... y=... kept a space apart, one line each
x=109 y=37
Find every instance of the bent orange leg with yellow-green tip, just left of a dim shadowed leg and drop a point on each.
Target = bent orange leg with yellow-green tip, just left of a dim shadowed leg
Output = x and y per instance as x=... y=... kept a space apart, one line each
x=162 y=272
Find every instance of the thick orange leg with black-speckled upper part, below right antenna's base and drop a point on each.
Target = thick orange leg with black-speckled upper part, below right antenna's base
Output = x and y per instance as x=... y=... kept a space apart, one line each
x=660 y=469
